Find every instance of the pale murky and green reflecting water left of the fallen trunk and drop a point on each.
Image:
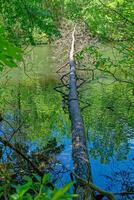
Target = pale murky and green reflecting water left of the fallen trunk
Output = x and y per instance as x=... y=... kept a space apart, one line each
x=29 y=98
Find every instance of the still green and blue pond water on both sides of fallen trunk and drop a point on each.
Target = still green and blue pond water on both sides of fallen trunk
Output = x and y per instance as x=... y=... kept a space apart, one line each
x=30 y=100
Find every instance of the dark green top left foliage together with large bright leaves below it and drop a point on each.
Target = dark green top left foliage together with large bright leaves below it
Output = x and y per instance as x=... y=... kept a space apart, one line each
x=21 y=21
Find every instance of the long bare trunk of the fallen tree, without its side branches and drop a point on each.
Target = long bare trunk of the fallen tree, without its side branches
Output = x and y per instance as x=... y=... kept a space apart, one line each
x=79 y=145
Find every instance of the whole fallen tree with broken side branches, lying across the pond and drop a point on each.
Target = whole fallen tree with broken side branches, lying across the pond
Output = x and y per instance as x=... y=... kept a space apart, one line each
x=84 y=186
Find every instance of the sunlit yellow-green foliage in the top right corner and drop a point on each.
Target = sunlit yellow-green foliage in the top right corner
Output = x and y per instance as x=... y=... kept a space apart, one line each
x=110 y=20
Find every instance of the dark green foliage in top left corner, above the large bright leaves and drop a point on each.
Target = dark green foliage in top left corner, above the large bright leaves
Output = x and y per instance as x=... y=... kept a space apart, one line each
x=22 y=18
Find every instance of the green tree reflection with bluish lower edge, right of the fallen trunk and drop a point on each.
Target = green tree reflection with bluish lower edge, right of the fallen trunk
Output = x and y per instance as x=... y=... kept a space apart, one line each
x=109 y=119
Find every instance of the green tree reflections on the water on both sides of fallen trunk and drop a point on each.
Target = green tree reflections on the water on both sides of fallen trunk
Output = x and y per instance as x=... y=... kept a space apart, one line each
x=30 y=98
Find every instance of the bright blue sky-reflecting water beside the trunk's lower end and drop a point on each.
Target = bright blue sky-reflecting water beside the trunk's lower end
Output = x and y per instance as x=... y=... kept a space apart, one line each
x=115 y=175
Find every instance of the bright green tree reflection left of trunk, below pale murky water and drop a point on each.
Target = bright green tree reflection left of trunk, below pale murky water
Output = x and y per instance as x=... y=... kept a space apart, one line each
x=41 y=111
